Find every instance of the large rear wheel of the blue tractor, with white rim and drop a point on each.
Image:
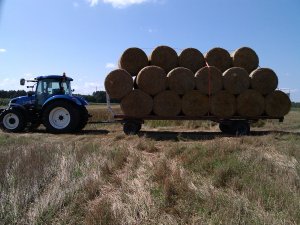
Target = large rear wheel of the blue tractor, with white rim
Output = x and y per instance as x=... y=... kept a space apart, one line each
x=61 y=117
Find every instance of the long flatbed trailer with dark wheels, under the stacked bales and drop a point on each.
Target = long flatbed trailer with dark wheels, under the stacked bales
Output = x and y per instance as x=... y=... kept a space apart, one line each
x=237 y=125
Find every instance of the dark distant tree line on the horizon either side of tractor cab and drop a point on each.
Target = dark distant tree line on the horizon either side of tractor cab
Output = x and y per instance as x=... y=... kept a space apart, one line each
x=96 y=97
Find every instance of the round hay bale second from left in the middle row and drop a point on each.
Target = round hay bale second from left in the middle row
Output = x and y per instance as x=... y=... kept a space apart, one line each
x=152 y=80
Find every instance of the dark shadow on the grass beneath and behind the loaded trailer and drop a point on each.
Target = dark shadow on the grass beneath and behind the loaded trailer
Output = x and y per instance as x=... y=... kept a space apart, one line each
x=201 y=135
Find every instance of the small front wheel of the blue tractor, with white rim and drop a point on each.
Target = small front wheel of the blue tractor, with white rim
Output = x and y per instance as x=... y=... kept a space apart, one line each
x=12 y=120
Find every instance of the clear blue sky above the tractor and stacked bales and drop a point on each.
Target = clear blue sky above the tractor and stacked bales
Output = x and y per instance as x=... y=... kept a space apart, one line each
x=85 y=38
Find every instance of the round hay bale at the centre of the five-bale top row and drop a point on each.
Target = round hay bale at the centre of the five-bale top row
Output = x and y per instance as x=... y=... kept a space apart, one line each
x=192 y=59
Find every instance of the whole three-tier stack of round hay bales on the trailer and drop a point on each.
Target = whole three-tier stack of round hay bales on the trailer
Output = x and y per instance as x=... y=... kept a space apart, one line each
x=192 y=84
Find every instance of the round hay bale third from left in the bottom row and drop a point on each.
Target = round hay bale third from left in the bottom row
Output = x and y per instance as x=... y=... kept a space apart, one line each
x=194 y=103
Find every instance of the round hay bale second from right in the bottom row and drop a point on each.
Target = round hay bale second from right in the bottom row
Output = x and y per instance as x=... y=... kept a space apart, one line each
x=250 y=103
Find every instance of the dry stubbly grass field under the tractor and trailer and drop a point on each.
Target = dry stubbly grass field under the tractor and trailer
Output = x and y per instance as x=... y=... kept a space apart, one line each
x=171 y=173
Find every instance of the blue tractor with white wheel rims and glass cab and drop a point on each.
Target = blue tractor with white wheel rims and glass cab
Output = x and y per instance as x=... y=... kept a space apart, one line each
x=51 y=104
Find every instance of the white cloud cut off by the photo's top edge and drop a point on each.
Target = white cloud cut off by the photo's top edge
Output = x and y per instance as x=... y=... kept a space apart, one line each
x=121 y=3
